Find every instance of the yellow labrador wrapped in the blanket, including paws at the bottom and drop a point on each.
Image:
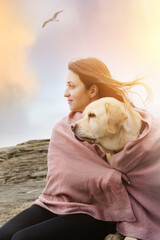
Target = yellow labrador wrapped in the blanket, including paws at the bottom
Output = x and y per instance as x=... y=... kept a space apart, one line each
x=109 y=124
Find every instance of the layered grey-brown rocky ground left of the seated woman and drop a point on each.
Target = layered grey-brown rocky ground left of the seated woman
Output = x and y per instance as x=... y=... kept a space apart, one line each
x=23 y=170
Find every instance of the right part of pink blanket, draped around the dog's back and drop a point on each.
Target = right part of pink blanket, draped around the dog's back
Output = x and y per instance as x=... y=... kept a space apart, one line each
x=140 y=159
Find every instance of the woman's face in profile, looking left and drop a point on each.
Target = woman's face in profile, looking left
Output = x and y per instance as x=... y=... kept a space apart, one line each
x=77 y=95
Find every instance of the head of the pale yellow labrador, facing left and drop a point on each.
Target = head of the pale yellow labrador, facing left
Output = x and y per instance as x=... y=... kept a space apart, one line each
x=101 y=118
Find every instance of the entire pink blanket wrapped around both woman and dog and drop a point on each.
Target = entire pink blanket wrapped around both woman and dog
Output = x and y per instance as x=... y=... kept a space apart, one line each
x=79 y=180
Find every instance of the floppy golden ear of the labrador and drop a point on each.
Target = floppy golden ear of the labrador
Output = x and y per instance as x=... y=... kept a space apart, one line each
x=116 y=115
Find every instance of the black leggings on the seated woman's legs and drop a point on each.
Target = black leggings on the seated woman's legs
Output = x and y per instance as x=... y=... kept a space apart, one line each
x=37 y=223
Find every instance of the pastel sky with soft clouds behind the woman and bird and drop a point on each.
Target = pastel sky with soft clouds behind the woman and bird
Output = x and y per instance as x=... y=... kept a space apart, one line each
x=124 y=34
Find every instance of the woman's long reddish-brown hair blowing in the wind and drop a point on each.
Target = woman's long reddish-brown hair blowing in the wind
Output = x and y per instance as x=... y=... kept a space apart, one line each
x=93 y=71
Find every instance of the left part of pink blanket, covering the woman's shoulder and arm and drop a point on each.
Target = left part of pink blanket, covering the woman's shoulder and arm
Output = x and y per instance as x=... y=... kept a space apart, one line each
x=79 y=180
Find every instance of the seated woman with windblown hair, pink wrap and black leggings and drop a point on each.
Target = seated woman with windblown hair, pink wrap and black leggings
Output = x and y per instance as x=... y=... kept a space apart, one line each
x=77 y=201
